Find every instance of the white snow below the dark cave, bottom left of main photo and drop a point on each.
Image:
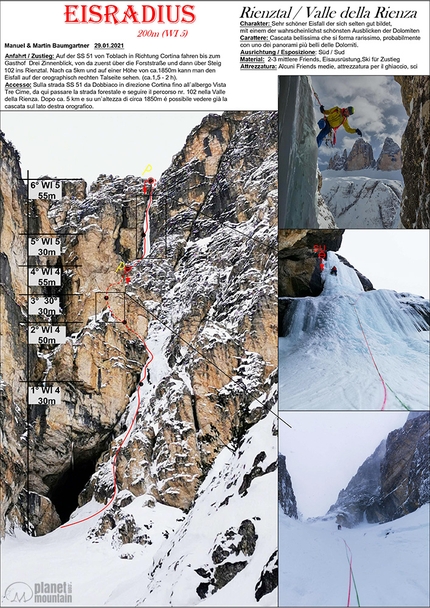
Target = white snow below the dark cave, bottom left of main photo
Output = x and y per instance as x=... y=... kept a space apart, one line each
x=94 y=569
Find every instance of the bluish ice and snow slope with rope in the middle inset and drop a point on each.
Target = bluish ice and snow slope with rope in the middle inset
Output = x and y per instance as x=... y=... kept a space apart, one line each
x=325 y=361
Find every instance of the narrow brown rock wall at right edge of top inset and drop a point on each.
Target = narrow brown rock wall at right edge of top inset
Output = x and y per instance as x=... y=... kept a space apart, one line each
x=415 y=210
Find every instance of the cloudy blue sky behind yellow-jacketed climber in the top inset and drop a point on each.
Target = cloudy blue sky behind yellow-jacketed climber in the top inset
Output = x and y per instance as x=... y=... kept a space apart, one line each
x=379 y=111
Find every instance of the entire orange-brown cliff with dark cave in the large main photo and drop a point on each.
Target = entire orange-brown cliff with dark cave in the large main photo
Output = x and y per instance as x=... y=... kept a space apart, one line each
x=203 y=302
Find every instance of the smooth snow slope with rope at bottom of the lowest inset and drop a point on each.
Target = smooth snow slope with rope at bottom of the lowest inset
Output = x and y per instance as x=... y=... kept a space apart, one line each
x=390 y=562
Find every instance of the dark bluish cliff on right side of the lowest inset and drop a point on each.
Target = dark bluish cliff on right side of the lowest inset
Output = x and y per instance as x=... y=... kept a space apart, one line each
x=394 y=481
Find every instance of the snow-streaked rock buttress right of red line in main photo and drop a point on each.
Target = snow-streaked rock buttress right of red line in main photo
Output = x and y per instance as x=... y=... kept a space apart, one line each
x=193 y=301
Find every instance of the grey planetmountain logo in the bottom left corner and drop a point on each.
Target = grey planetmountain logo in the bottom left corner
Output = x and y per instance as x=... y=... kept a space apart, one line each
x=43 y=593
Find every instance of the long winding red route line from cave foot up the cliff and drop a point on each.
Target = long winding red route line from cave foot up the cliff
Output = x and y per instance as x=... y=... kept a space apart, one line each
x=143 y=377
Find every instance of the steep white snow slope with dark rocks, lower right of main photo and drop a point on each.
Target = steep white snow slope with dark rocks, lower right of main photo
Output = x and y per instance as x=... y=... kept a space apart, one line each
x=175 y=578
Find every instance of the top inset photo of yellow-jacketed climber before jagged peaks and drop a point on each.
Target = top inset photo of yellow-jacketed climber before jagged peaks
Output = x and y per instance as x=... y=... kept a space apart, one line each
x=354 y=152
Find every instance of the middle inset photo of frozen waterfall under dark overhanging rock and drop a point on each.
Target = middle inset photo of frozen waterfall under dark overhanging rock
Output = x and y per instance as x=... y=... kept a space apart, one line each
x=353 y=319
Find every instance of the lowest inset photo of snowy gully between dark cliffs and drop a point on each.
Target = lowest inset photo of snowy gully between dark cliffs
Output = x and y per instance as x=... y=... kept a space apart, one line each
x=354 y=509
